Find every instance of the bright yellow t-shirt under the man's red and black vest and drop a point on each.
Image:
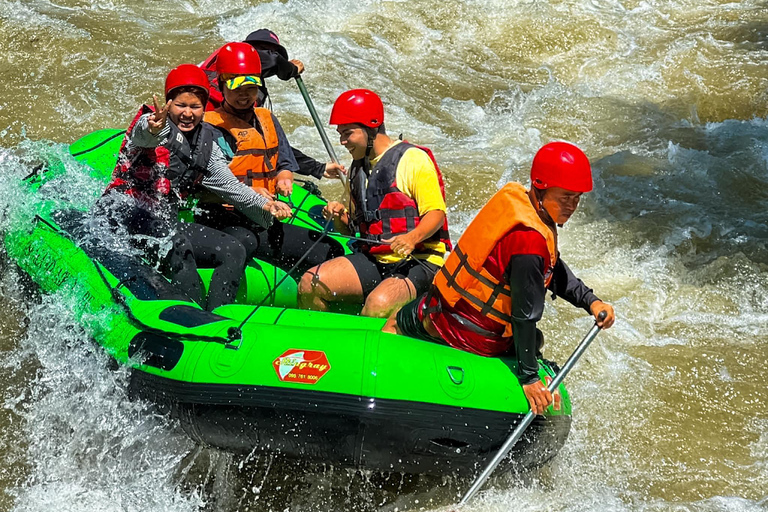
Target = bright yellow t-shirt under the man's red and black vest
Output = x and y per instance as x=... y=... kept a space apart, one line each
x=416 y=177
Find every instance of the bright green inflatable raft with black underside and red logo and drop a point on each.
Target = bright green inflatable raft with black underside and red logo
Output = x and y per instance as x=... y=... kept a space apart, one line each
x=262 y=375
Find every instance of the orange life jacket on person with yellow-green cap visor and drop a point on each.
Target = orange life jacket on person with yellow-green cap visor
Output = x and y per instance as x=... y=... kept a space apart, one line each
x=255 y=160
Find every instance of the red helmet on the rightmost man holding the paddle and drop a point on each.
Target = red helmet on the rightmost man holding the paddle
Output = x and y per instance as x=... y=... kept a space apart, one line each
x=560 y=164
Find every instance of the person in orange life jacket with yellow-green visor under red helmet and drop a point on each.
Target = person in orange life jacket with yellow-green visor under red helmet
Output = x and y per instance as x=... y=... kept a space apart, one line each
x=260 y=158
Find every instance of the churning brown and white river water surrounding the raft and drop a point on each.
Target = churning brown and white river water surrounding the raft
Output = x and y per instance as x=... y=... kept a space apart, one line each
x=668 y=99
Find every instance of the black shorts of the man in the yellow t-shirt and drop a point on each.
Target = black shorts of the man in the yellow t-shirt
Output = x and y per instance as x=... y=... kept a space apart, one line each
x=372 y=272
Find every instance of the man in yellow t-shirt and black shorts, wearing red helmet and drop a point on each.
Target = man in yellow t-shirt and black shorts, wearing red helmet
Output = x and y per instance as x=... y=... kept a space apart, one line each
x=398 y=205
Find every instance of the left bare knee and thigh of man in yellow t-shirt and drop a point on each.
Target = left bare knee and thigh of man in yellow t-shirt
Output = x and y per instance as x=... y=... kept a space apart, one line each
x=330 y=282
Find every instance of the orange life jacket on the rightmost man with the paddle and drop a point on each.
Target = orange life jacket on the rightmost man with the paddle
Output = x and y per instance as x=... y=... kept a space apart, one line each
x=464 y=275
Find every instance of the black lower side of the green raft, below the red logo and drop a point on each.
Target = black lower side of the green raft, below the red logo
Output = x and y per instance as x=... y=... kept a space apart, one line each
x=344 y=430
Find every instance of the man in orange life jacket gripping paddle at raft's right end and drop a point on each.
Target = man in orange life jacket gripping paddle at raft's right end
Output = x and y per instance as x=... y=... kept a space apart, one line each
x=490 y=293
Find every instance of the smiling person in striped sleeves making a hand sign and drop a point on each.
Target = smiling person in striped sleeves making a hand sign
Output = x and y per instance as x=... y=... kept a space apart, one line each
x=167 y=154
